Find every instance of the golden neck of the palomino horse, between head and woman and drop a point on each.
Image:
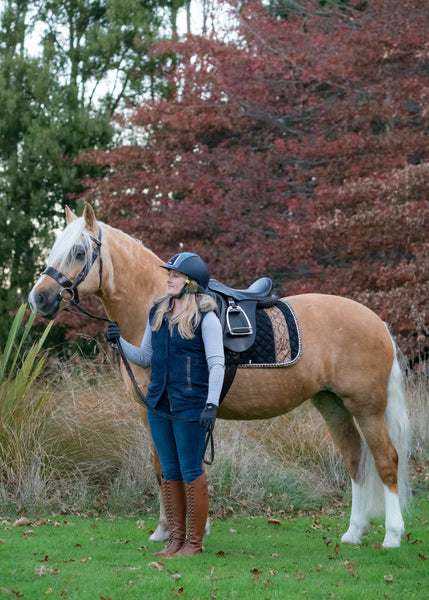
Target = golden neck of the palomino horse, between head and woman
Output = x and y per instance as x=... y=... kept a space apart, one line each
x=132 y=280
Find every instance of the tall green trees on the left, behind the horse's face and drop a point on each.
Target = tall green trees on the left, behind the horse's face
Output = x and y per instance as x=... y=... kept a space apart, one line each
x=55 y=104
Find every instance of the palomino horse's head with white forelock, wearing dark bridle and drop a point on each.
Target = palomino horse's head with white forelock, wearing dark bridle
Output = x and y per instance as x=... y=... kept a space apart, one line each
x=74 y=266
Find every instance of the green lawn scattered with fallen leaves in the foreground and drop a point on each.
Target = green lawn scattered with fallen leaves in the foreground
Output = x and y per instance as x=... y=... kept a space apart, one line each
x=245 y=558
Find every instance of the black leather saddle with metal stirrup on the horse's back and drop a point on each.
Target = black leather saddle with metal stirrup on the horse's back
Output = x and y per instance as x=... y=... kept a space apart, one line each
x=237 y=310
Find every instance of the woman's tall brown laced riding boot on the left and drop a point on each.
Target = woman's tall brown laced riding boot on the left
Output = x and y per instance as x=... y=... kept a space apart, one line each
x=173 y=494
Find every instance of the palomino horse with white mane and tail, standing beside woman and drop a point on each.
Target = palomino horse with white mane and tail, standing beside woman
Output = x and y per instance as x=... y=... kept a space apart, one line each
x=348 y=366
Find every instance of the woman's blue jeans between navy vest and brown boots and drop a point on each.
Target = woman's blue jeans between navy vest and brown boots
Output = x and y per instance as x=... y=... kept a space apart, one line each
x=180 y=446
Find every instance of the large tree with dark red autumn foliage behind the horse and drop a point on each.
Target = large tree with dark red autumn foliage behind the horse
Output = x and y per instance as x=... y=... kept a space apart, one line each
x=297 y=150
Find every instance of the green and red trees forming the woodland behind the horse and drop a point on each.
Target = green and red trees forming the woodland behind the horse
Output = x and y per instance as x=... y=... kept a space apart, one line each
x=284 y=140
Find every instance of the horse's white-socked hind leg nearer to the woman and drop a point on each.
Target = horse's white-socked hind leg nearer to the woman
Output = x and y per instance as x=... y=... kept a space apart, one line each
x=346 y=436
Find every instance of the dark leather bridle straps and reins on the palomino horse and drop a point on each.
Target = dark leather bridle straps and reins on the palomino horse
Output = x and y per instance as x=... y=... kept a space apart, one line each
x=71 y=288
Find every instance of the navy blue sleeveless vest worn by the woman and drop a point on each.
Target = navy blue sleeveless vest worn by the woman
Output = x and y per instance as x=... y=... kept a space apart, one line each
x=178 y=367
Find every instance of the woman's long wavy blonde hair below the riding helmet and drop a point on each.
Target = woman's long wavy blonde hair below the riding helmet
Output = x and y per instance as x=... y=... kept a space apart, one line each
x=189 y=318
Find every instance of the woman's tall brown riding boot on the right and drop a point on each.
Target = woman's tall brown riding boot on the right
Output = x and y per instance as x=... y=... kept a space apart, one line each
x=197 y=508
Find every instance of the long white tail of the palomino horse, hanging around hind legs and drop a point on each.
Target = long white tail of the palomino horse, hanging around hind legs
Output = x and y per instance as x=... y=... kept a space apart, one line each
x=398 y=426
